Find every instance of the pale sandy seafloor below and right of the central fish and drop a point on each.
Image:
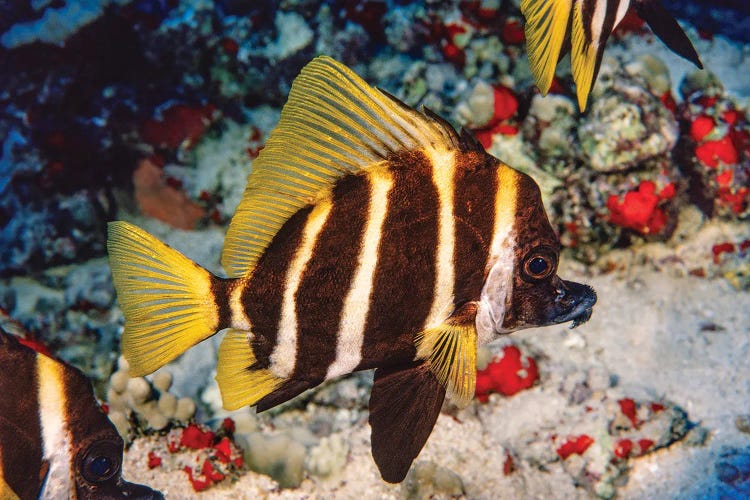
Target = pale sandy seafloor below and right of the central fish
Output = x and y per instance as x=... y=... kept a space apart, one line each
x=659 y=333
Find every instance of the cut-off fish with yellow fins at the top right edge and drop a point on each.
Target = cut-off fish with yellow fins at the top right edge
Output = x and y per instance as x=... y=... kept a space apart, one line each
x=554 y=27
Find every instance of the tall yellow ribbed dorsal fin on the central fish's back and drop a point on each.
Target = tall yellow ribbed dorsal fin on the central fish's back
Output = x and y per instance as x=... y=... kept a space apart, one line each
x=333 y=124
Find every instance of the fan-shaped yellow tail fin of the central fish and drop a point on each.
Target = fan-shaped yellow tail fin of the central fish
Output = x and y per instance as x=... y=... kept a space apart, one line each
x=167 y=299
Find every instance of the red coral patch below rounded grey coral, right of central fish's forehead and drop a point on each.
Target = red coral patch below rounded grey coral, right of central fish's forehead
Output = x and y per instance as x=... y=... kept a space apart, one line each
x=639 y=210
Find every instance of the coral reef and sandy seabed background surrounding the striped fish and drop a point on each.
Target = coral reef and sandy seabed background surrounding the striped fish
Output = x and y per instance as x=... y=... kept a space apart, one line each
x=156 y=110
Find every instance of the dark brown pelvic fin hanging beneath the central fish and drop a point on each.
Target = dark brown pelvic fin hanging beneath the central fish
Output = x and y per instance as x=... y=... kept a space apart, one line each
x=404 y=405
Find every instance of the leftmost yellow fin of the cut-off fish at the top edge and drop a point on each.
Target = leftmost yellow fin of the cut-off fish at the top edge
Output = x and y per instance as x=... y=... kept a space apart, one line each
x=546 y=26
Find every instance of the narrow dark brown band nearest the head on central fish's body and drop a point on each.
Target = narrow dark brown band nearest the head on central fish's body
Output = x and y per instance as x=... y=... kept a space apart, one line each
x=474 y=209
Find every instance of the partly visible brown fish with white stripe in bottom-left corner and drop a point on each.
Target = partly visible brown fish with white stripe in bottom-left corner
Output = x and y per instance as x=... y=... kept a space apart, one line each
x=55 y=440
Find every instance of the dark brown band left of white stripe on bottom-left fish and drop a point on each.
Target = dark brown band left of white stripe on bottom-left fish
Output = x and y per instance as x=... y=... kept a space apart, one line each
x=20 y=448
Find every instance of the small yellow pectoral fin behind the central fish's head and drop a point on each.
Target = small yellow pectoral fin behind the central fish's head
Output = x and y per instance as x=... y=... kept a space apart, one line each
x=451 y=350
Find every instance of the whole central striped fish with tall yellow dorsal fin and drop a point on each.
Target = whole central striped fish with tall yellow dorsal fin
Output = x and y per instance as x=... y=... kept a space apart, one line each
x=370 y=235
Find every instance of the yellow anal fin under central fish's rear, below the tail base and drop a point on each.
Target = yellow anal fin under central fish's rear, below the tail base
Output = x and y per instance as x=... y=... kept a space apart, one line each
x=239 y=383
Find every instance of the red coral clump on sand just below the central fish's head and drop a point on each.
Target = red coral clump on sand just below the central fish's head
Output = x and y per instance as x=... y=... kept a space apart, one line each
x=506 y=375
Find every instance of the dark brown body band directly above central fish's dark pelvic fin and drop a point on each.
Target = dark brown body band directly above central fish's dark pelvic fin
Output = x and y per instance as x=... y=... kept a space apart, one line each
x=403 y=287
